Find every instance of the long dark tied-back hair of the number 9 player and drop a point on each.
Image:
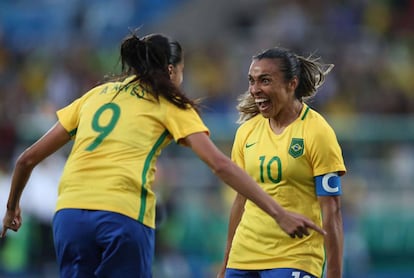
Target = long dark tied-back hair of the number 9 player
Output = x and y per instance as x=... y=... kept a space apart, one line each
x=148 y=58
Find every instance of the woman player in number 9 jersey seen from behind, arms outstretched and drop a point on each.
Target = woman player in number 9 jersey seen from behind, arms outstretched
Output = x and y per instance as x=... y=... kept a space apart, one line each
x=105 y=214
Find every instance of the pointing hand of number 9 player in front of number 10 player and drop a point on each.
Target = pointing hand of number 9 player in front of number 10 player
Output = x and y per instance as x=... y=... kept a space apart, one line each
x=297 y=225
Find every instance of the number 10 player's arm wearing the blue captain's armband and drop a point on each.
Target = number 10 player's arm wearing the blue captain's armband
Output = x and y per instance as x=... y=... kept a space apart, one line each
x=328 y=190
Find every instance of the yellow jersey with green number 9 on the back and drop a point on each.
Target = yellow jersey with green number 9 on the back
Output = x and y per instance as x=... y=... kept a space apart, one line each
x=117 y=141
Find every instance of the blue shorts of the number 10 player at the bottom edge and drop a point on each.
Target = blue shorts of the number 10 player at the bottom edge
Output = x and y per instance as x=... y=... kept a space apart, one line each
x=268 y=273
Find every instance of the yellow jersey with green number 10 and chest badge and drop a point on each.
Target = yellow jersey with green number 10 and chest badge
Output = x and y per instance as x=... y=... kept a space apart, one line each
x=284 y=165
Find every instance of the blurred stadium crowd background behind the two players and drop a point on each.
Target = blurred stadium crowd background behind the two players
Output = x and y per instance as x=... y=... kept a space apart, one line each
x=53 y=51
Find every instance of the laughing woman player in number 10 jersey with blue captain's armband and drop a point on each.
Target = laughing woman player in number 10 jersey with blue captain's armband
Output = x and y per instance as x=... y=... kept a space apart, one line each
x=292 y=152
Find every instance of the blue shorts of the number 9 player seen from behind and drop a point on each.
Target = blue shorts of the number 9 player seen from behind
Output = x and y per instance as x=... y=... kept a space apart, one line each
x=91 y=243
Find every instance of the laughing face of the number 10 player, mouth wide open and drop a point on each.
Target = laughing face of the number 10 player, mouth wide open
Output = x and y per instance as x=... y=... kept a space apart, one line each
x=272 y=93
